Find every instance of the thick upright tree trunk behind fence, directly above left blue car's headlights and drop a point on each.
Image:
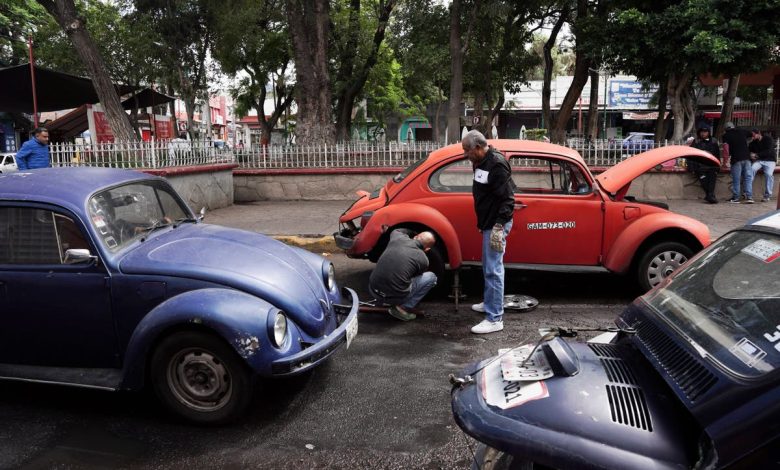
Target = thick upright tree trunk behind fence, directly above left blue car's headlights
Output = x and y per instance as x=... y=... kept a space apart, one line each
x=309 y=24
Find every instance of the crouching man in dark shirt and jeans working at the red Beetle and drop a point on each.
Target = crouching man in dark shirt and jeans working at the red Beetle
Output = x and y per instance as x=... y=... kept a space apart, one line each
x=400 y=277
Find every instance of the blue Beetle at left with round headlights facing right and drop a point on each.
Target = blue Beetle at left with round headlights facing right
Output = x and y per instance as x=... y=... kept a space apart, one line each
x=108 y=281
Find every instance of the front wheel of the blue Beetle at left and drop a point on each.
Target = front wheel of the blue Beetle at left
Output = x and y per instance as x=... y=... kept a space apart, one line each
x=200 y=378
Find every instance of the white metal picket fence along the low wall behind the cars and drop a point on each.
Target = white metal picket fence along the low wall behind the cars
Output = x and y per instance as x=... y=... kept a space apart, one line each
x=597 y=153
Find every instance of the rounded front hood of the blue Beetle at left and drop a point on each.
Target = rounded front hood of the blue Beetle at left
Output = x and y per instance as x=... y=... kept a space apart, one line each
x=243 y=260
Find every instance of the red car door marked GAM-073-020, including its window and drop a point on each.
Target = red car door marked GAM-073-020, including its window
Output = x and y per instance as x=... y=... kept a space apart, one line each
x=558 y=218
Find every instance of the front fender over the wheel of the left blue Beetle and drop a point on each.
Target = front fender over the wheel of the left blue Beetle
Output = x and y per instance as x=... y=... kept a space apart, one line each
x=239 y=318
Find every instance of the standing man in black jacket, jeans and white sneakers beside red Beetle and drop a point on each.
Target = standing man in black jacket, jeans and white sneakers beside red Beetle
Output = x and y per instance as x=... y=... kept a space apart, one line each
x=494 y=201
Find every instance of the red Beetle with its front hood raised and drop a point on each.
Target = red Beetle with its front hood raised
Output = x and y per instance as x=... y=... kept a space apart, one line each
x=565 y=218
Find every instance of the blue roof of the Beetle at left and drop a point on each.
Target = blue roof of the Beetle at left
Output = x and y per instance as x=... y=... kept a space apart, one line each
x=70 y=186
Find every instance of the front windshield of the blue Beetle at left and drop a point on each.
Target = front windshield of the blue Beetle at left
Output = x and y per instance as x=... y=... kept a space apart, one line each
x=130 y=212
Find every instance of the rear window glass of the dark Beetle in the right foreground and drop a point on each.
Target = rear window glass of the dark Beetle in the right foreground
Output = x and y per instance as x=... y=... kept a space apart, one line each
x=726 y=303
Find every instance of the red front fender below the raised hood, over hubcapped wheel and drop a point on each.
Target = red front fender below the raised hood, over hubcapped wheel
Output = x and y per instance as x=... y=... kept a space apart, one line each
x=623 y=249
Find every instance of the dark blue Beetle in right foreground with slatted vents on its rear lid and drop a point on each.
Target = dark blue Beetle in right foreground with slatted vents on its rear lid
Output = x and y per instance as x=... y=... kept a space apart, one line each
x=690 y=380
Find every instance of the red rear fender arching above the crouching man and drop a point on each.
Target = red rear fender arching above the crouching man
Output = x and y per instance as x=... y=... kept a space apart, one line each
x=413 y=213
